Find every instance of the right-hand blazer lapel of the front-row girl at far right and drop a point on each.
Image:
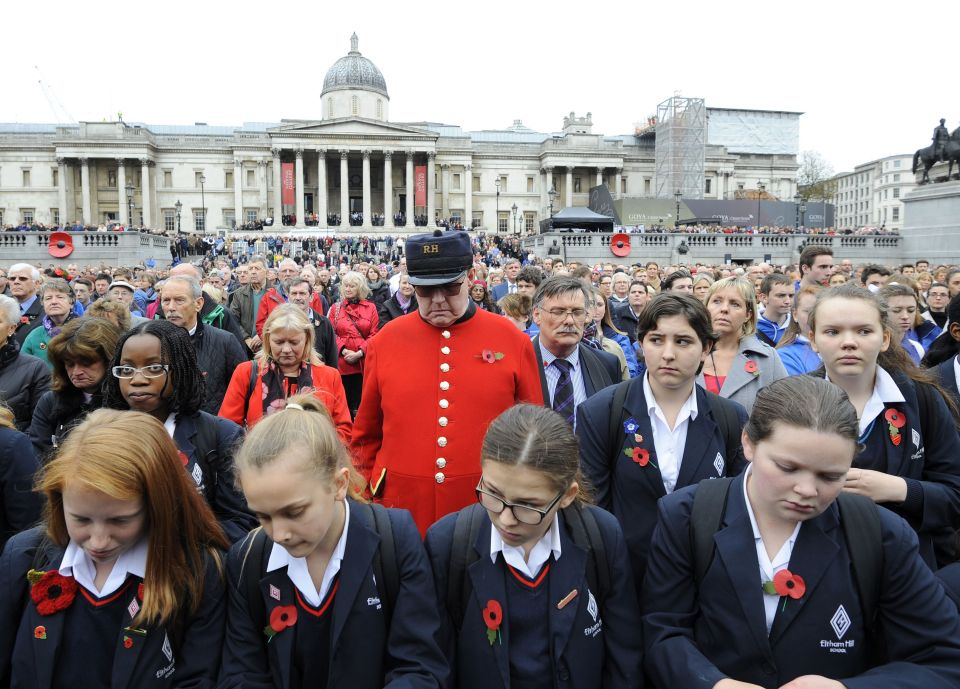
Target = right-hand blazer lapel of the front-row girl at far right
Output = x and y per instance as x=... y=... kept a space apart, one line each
x=813 y=553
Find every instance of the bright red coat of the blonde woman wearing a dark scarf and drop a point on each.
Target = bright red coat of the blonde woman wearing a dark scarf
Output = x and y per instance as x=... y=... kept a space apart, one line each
x=327 y=387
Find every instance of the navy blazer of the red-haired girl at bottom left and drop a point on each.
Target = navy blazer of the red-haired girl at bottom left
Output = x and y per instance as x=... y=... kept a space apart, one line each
x=28 y=662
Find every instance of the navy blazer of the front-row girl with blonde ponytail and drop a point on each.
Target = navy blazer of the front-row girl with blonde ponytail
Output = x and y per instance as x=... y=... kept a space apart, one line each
x=367 y=652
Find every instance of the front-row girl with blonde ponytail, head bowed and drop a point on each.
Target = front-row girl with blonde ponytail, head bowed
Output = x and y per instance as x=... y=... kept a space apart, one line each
x=331 y=592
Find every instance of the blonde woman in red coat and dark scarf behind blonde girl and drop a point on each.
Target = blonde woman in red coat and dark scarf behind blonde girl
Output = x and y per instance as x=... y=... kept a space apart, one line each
x=286 y=365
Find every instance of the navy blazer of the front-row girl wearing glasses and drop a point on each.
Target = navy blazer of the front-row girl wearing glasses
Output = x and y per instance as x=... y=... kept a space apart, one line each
x=582 y=658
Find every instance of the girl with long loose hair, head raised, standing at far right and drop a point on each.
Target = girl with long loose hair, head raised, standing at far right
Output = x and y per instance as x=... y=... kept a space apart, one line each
x=910 y=461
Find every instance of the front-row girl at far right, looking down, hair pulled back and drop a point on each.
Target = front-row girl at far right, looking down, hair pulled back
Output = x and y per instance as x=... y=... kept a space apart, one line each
x=757 y=583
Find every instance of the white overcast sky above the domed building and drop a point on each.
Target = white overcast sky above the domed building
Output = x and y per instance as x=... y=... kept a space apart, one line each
x=871 y=80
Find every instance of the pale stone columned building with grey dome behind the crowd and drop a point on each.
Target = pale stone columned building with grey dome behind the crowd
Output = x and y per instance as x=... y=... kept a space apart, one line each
x=355 y=170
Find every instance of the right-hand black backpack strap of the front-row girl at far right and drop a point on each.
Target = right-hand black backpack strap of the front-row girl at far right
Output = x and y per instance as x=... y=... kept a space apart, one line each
x=861 y=531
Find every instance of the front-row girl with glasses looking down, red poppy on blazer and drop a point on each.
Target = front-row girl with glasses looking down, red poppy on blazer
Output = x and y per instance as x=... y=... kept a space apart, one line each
x=536 y=586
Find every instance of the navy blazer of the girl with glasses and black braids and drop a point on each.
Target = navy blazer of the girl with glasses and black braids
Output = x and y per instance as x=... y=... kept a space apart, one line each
x=226 y=501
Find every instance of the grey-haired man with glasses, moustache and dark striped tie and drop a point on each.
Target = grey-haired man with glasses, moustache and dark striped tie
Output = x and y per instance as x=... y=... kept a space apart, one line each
x=570 y=371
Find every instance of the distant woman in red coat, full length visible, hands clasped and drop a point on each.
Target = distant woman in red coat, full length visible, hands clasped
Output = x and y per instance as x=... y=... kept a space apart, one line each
x=355 y=321
